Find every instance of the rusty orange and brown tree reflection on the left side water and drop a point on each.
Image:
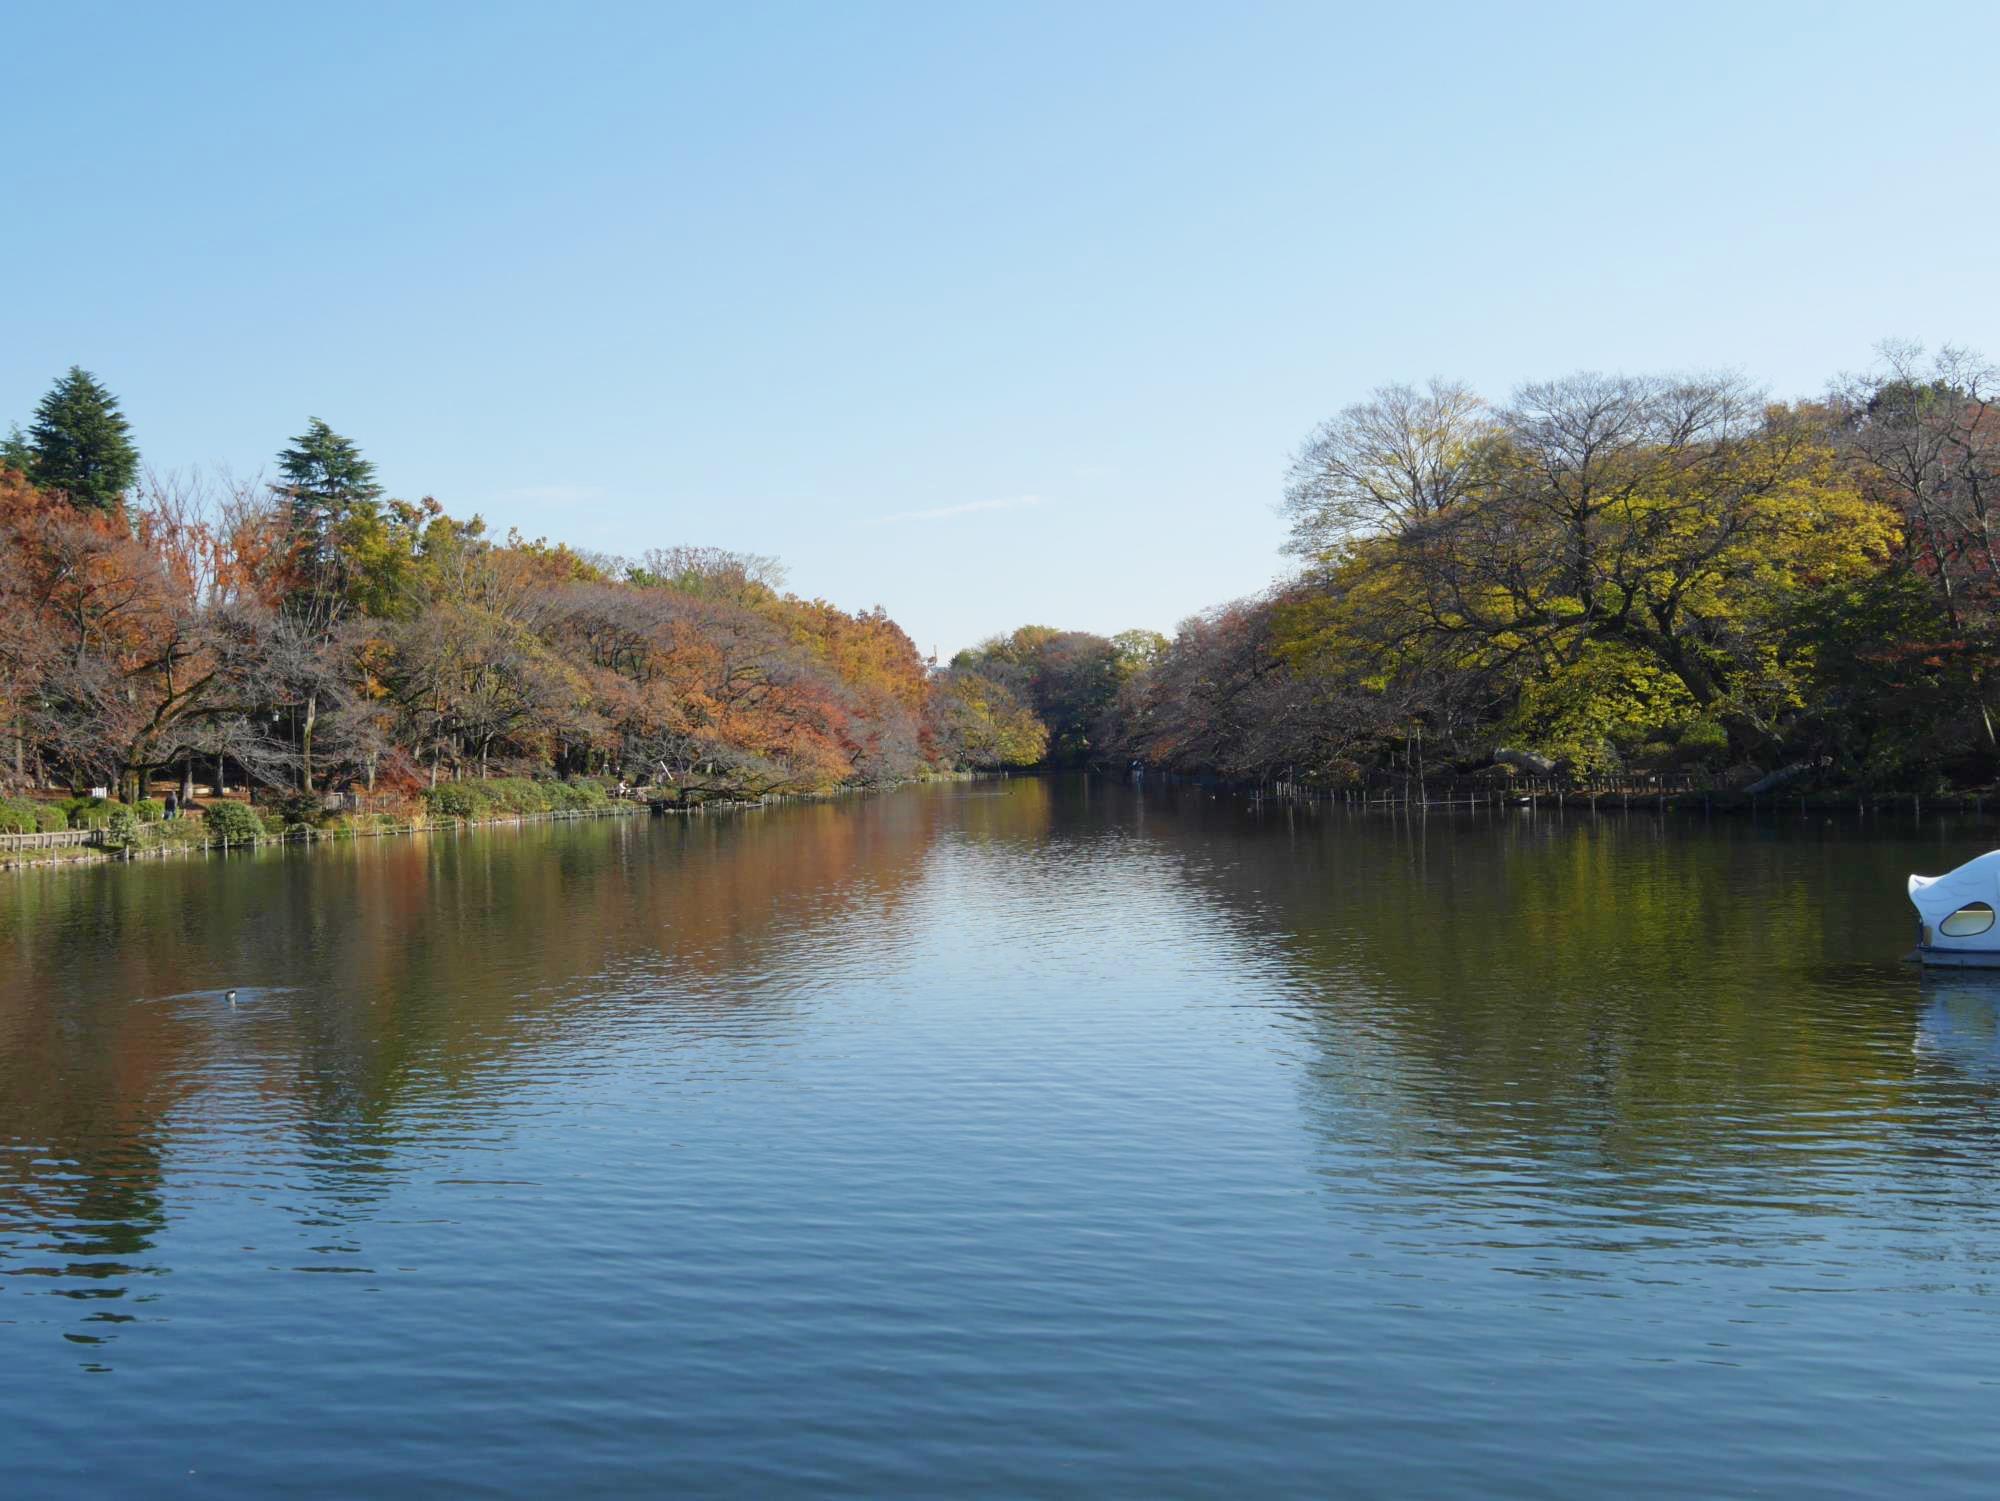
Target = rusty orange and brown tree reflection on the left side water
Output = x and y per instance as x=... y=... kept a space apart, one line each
x=427 y=984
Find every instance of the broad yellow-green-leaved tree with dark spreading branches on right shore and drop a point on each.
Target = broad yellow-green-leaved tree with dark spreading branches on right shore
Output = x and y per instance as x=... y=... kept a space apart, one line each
x=1673 y=523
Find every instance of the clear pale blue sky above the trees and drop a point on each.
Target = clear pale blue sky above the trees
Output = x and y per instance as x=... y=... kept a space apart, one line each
x=983 y=313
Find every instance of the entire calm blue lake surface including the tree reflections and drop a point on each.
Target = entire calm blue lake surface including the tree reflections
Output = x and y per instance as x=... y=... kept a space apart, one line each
x=1021 y=1138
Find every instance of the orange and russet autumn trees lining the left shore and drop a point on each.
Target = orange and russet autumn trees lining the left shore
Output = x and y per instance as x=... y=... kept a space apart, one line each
x=317 y=635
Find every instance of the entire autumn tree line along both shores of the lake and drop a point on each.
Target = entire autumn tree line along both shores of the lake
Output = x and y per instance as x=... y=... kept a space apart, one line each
x=1665 y=579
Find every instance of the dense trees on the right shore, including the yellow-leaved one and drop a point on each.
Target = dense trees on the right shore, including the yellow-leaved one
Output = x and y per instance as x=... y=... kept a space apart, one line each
x=1603 y=575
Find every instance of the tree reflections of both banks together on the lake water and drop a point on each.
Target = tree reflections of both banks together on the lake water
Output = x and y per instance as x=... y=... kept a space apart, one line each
x=1539 y=1036
